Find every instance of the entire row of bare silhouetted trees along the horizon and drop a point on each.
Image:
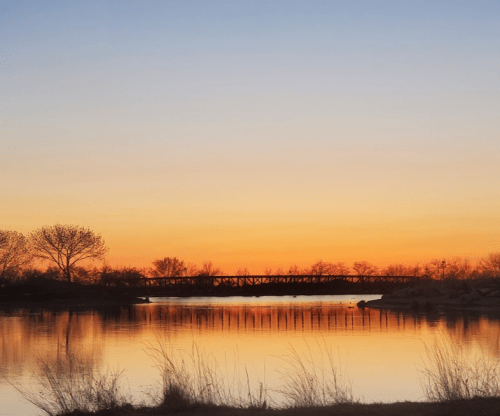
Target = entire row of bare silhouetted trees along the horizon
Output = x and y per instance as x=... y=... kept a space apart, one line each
x=66 y=247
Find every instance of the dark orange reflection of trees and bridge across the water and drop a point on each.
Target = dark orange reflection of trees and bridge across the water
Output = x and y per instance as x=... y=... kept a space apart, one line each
x=26 y=334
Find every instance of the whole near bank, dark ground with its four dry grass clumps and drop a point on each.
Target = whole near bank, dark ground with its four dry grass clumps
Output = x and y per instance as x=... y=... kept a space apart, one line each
x=192 y=383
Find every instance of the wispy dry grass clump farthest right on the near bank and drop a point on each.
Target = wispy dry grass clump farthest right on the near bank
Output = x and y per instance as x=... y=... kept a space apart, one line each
x=451 y=374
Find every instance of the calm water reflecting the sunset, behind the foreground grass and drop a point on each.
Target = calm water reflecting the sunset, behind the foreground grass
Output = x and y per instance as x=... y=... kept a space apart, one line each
x=379 y=351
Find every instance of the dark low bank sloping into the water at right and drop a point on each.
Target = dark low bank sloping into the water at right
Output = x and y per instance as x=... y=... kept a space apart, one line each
x=480 y=296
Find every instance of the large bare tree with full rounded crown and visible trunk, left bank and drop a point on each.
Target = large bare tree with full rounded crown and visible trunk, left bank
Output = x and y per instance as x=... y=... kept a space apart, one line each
x=66 y=245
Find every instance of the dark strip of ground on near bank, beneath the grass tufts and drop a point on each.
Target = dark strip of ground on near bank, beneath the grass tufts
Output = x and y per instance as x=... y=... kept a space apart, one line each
x=480 y=406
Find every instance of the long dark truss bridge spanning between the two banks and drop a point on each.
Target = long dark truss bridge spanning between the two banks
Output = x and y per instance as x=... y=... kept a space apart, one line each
x=259 y=284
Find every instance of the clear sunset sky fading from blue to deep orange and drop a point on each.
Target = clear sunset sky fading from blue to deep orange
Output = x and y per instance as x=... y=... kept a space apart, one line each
x=254 y=134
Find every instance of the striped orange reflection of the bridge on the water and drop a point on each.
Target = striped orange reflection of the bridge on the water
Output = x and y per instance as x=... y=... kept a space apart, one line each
x=272 y=318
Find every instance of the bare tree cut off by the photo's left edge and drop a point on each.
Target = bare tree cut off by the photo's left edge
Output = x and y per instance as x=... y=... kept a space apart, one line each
x=15 y=252
